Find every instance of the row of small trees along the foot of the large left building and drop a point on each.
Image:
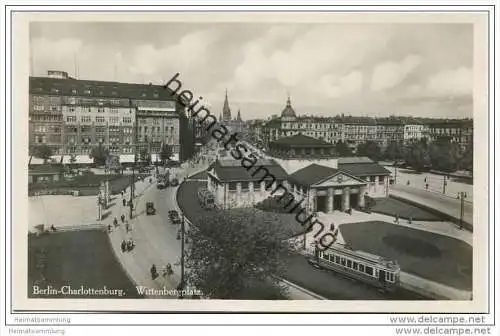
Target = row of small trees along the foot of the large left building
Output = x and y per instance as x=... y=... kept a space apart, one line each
x=101 y=154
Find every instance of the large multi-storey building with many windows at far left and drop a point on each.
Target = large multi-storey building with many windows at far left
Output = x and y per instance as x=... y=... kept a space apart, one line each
x=72 y=116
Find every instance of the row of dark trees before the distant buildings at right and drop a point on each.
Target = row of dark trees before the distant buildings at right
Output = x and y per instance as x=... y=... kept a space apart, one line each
x=441 y=154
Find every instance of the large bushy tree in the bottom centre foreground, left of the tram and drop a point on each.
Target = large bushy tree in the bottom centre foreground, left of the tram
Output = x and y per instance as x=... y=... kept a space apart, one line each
x=236 y=253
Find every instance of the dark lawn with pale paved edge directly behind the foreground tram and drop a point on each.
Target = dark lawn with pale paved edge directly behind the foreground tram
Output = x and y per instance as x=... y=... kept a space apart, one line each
x=438 y=265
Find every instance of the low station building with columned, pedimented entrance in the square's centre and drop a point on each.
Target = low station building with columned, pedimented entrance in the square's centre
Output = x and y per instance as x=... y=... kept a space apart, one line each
x=326 y=183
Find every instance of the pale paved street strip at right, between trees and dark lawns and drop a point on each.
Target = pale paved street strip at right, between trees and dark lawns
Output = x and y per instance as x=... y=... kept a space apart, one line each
x=447 y=205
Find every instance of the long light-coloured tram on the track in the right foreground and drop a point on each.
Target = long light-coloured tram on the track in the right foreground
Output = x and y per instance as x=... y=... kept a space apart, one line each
x=369 y=268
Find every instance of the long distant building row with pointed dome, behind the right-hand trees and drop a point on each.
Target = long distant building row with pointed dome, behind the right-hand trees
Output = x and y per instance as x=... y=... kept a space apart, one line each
x=354 y=131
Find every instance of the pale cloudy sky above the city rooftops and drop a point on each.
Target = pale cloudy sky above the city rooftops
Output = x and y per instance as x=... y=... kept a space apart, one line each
x=414 y=69
